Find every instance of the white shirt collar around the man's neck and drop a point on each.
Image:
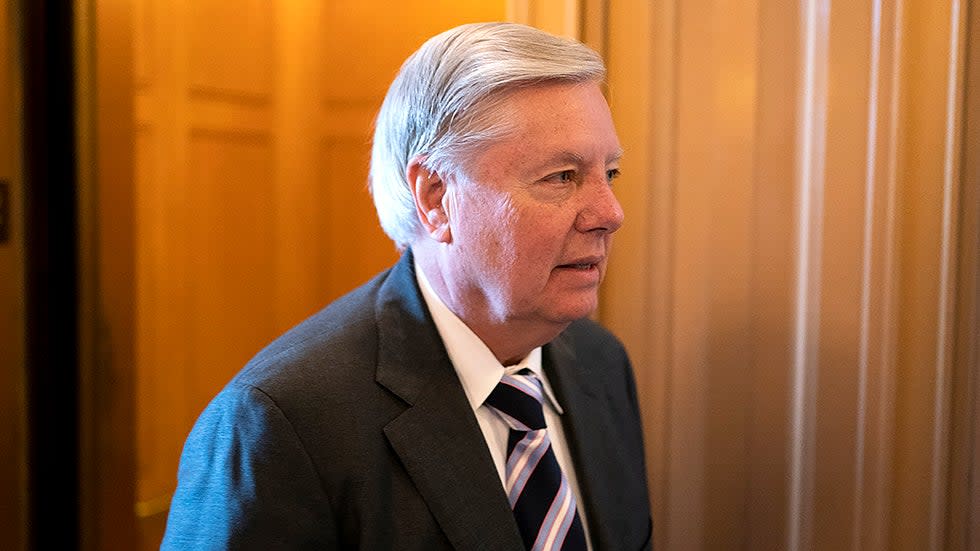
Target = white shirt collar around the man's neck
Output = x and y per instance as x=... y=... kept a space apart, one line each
x=478 y=369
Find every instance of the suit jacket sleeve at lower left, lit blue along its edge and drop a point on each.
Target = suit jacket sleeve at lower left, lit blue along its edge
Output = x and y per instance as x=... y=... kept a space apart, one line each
x=246 y=481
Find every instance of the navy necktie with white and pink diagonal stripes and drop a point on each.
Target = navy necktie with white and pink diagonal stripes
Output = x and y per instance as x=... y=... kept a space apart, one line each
x=539 y=494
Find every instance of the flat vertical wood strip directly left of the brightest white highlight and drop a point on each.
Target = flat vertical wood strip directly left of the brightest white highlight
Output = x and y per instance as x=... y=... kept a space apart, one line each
x=774 y=280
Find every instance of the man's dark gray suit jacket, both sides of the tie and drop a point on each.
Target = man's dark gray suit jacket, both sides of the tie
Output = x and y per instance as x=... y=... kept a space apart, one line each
x=352 y=431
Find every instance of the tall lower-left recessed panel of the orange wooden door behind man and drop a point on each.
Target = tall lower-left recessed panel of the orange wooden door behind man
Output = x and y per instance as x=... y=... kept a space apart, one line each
x=230 y=258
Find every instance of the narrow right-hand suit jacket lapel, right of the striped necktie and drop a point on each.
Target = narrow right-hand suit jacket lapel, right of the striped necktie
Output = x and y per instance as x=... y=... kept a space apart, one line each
x=583 y=421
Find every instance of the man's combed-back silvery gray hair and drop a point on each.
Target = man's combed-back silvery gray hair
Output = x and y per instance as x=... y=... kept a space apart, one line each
x=441 y=105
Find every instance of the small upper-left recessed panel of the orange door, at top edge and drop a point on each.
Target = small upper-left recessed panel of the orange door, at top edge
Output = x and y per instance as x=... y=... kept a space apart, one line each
x=232 y=46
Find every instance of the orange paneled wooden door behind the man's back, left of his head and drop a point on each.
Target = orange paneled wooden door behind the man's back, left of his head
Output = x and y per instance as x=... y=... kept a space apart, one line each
x=253 y=125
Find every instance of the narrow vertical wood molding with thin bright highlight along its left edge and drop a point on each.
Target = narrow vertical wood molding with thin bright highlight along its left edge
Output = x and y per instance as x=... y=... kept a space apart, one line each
x=874 y=425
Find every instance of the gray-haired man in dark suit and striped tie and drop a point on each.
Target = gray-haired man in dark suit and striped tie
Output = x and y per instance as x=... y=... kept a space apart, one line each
x=461 y=399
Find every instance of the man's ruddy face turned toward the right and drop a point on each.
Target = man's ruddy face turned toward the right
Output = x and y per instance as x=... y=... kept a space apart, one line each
x=532 y=218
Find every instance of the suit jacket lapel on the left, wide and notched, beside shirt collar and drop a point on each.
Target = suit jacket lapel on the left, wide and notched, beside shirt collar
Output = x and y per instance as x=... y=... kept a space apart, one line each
x=438 y=438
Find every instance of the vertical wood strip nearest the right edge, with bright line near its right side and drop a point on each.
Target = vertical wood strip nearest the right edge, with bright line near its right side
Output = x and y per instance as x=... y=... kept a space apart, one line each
x=927 y=163
